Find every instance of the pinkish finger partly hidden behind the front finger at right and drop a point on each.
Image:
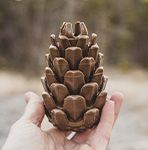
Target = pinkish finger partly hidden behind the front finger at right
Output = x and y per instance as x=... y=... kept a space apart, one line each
x=118 y=99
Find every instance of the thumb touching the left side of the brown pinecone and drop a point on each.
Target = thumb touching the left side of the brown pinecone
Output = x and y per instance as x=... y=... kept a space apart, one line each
x=34 y=110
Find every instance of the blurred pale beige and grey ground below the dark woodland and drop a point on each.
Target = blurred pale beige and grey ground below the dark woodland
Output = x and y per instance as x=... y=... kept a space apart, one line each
x=131 y=129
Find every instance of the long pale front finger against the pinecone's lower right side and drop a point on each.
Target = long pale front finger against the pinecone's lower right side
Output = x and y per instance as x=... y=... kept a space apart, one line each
x=103 y=131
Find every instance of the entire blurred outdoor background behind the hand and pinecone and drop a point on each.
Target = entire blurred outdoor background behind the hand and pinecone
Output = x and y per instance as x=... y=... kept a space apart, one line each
x=122 y=29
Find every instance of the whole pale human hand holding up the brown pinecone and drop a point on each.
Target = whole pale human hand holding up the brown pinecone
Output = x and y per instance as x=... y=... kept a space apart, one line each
x=26 y=133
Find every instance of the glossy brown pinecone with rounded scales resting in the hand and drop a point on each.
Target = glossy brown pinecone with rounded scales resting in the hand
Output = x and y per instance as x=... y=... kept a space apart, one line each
x=74 y=83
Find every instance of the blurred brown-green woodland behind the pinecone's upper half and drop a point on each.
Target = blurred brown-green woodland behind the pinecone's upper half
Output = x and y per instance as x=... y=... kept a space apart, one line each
x=25 y=27
